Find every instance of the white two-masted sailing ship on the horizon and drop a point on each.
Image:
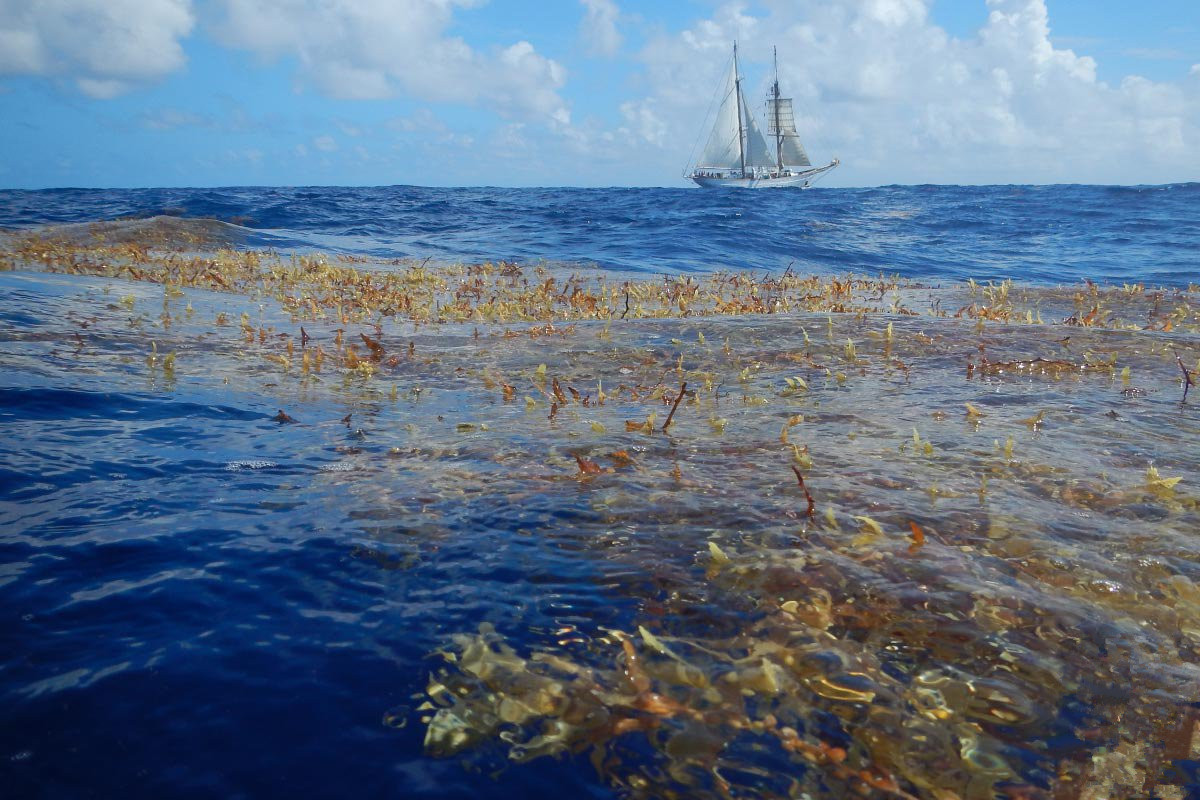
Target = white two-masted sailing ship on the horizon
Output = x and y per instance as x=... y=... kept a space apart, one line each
x=739 y=157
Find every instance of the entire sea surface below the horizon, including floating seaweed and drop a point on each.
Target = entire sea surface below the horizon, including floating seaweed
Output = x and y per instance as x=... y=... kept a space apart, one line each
x=473 y=562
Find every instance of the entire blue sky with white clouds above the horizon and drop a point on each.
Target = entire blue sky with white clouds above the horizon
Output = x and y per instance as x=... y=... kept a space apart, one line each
x=590 y=93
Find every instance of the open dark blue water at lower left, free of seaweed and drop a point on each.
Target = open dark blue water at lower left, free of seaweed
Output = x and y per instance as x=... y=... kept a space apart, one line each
x=200 y=603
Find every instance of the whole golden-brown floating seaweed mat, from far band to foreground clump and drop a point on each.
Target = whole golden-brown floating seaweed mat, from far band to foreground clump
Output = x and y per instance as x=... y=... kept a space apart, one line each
x=878 y=540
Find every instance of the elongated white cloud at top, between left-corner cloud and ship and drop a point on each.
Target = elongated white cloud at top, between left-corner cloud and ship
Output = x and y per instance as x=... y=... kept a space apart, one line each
x=374 y=50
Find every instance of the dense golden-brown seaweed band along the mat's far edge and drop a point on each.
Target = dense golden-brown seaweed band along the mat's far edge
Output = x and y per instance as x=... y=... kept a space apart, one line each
x=347 y=287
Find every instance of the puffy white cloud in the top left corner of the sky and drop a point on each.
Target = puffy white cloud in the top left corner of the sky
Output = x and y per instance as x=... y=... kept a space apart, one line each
x=106 y=47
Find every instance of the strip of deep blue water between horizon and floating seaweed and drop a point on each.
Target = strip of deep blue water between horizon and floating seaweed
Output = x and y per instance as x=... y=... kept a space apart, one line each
x=1039 y=234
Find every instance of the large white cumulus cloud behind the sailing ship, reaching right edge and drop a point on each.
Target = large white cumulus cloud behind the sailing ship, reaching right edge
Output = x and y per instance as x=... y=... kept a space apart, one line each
x=880 y=85
